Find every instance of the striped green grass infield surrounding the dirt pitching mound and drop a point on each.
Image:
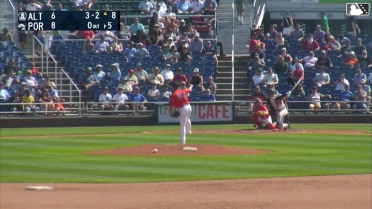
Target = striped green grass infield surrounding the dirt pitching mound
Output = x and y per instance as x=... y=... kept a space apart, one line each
x=57 y=154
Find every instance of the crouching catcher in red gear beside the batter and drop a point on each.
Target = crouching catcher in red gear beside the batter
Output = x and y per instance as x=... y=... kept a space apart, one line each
x=261 y=116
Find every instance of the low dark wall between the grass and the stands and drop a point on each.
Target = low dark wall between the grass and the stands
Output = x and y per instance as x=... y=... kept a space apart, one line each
x=28 y=122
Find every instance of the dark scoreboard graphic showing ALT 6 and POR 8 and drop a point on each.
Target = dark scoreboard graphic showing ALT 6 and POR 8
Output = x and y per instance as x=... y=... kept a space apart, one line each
x=68 y=20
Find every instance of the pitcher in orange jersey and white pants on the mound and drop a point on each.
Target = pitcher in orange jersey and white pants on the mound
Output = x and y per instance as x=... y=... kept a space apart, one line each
x=179 y=100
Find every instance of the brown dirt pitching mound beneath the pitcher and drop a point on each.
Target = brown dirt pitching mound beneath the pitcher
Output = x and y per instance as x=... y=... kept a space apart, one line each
x=177 y=150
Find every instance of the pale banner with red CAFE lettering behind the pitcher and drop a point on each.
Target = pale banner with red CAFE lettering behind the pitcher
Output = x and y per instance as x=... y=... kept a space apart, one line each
x=201 y=112
